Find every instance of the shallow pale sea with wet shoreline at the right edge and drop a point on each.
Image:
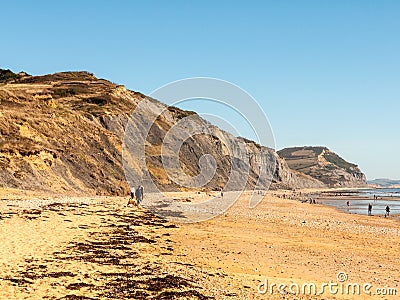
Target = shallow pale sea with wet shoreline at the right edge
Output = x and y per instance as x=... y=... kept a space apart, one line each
x=360 y=206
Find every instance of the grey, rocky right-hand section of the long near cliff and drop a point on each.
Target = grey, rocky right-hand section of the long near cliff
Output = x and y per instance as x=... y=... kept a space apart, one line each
x=236 y=162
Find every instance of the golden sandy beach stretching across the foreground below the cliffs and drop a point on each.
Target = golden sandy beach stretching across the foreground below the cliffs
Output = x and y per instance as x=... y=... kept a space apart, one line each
x=95 y=247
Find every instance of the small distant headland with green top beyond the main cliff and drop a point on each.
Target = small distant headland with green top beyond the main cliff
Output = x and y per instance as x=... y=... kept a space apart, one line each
x=324 y=165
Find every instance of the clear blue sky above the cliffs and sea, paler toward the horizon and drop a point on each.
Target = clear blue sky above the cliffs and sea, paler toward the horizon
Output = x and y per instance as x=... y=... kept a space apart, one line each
x=325 y=72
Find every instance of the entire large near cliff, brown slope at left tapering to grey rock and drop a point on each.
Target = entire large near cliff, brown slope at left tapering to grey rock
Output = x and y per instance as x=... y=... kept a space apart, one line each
x=64 y=133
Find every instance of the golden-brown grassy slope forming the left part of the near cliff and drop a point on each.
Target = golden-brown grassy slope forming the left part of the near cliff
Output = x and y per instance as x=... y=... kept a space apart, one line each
x=52 y=138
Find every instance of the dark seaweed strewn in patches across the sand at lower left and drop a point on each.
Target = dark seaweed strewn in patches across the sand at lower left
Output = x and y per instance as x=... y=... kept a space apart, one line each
x=133 y=281
